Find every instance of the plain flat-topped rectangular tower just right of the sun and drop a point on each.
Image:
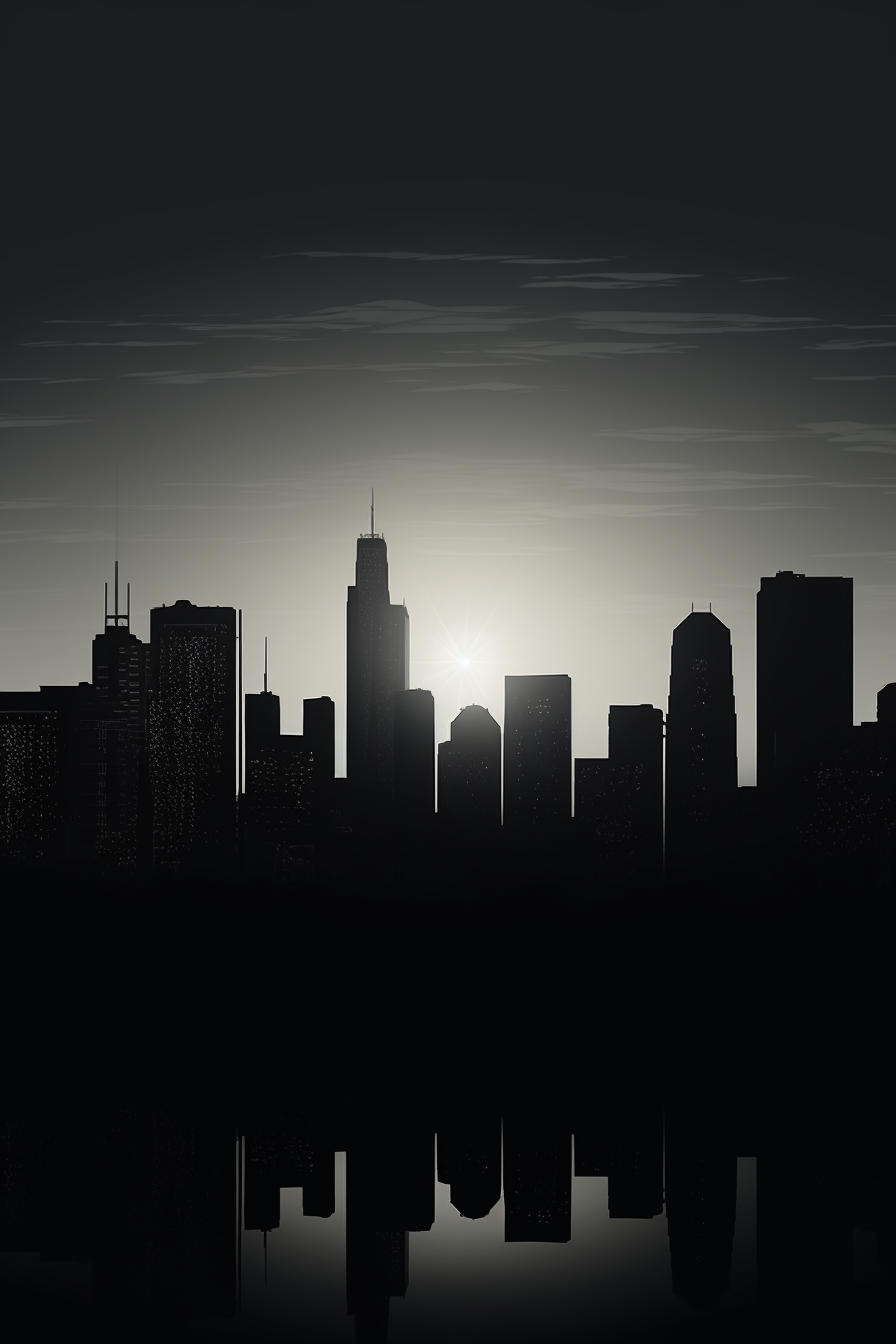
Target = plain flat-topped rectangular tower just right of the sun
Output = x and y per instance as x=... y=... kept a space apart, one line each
x=538 y=752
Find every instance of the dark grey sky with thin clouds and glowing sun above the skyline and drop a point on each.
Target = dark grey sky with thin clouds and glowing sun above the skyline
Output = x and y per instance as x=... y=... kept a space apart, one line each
x=590 y=386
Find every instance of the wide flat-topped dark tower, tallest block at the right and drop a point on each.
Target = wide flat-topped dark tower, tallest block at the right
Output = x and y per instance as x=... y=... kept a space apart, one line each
x=804 y=673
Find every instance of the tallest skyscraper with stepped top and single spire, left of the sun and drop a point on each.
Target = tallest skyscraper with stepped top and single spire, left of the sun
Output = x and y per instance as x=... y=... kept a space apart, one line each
x=377 y=666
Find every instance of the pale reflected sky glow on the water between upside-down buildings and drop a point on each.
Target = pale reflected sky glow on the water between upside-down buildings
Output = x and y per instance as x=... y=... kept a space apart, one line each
x=613 y=1279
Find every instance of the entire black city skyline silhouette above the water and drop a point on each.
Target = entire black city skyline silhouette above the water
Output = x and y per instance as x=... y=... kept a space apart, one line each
x=142 y=771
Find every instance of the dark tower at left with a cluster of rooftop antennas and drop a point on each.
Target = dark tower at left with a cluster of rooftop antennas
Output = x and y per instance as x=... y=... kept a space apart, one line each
x=120 y=666
